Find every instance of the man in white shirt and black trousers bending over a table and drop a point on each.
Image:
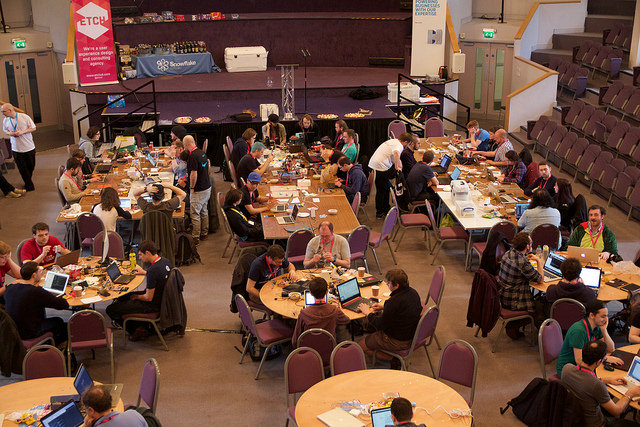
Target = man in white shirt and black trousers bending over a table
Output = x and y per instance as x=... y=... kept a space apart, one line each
x=386 y=161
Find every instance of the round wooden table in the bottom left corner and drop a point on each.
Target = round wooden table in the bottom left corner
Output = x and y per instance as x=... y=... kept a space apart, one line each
x=24 y=395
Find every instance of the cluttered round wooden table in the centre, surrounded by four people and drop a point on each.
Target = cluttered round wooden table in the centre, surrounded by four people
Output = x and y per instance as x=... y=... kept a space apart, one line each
x=271 y=295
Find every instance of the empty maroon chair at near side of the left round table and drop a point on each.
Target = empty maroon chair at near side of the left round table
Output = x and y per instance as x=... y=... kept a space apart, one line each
x=87 y=330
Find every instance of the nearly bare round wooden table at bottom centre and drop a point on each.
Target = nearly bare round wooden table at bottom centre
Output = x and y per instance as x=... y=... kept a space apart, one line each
x=368 y=386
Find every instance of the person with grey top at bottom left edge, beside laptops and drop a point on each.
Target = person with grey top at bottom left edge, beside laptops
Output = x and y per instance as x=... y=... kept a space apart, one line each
x=97 y=404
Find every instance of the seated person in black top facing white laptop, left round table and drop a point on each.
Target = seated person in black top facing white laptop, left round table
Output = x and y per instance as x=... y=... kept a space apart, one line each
x=26 y=302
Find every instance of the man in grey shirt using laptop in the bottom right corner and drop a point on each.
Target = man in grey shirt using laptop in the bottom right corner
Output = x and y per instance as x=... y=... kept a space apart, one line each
x=592 y=392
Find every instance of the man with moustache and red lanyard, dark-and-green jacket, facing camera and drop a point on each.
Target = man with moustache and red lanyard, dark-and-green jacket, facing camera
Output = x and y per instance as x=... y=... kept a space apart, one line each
x=595 y=234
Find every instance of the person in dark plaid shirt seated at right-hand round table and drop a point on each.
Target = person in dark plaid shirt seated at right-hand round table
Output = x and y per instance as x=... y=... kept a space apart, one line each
x=516 y=272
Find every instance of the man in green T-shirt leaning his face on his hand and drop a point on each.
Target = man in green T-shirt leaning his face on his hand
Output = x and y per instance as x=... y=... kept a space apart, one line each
x=593 y=327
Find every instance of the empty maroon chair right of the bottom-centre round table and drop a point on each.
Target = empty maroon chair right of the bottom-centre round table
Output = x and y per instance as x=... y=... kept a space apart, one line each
x=459 y=364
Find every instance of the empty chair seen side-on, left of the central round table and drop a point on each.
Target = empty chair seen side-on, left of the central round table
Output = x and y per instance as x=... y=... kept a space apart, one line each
x=268 y=334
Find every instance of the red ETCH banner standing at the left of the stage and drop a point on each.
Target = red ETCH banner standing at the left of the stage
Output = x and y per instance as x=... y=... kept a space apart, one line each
x=94 y=41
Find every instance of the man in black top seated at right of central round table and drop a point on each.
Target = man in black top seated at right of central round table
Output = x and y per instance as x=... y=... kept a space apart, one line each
x=394 y=322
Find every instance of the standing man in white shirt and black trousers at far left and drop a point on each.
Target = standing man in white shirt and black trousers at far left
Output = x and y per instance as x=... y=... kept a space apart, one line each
x=19 y=127
